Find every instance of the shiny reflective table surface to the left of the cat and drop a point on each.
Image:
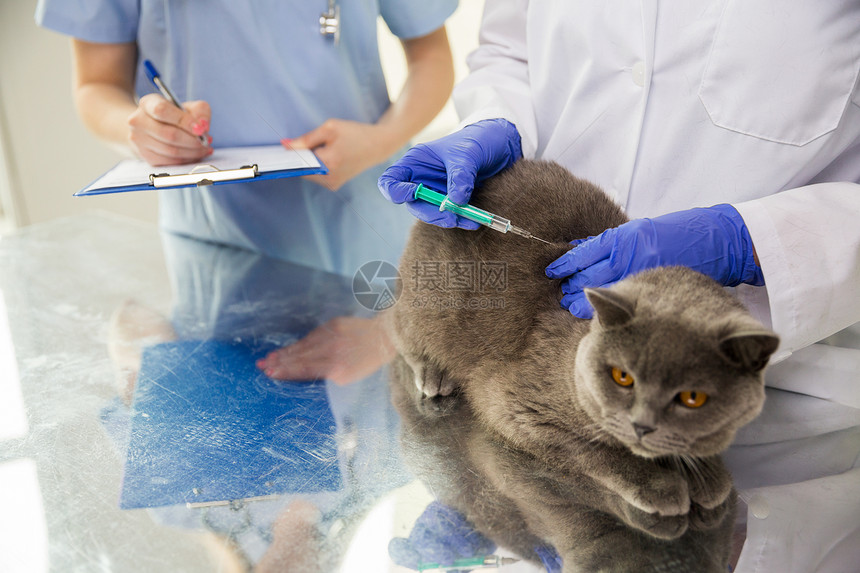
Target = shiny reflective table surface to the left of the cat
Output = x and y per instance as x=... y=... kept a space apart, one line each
x=135 y=382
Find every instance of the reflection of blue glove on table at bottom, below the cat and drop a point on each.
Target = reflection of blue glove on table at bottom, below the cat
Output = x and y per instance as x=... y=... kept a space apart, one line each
x=440 y=535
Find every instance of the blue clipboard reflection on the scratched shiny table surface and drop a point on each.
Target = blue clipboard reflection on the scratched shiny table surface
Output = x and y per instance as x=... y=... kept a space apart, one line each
x=208 y=426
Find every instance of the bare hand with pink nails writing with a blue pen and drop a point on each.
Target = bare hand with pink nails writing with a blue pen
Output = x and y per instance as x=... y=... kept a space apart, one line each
x=166 y=132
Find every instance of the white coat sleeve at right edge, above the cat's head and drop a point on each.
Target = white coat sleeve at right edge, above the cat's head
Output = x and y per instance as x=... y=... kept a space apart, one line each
x=808 y=243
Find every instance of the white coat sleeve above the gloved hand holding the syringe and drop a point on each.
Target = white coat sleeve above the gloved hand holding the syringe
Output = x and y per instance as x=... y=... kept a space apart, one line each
x=498 y=82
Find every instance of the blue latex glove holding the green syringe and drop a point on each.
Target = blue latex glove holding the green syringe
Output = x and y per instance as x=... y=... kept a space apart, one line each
x=454 y=163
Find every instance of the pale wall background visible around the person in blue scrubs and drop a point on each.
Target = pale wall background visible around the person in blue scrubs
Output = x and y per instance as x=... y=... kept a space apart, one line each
x=45 y=152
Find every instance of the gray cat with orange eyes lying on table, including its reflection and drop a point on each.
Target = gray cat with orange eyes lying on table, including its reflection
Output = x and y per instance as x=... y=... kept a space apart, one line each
x=601 y=437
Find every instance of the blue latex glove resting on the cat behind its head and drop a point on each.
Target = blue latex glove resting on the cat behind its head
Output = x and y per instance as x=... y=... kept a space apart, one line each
x=712 y=240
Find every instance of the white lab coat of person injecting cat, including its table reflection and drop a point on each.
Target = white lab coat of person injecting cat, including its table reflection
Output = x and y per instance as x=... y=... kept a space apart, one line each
x=673 y=105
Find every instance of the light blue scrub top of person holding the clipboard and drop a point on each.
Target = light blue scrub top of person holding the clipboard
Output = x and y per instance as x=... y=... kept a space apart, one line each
x=268 y=74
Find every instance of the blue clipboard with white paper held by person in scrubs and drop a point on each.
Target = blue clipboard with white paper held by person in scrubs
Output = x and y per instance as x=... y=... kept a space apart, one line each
x=225 y=165
